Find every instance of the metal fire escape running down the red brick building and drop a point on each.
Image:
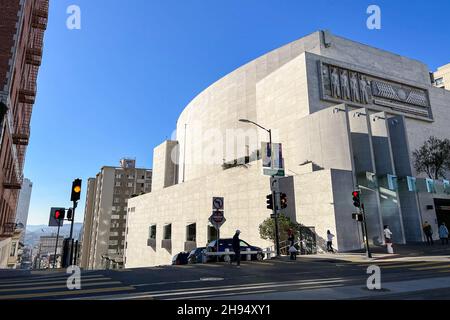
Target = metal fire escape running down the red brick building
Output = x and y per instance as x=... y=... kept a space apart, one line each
x=27 y=92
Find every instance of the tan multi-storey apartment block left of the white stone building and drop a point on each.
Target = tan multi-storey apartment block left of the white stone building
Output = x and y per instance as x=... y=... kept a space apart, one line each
x=105 y=216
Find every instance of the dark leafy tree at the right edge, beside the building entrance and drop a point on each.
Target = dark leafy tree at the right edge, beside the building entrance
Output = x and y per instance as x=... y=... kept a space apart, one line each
x=433 y=158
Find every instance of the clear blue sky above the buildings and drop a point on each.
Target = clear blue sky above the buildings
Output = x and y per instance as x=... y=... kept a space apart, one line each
x=115 y=88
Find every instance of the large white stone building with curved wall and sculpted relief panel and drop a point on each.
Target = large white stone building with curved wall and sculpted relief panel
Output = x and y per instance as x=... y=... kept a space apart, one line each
x=348 y=117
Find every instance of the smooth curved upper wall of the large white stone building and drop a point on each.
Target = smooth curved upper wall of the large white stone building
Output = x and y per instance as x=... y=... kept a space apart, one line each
x=219 y=107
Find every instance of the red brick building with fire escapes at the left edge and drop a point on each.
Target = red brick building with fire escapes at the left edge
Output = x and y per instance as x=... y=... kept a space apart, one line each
x=23 y=23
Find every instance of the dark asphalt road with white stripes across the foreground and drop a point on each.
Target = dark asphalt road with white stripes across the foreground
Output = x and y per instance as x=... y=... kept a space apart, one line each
x=271 y=279
